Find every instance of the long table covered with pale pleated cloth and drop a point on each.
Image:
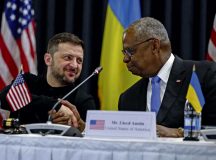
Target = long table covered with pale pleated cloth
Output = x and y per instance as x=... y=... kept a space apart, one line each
x=37 y=147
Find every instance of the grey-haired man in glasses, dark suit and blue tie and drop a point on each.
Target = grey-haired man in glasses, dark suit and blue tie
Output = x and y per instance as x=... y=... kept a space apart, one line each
x=147 y=53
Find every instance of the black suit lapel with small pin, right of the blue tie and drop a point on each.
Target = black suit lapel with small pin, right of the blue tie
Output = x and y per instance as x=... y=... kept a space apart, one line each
x=174 y=85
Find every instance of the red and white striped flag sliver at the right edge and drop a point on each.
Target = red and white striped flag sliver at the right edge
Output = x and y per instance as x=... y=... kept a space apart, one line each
x=212 y=43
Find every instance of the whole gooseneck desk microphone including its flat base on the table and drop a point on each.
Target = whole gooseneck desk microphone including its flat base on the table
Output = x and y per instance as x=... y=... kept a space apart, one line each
x=59 y=129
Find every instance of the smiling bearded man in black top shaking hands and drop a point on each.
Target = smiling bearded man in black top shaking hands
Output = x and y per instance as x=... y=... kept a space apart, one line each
x=64 y=60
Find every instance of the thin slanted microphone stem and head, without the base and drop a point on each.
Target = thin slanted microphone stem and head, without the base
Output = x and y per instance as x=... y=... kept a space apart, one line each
x=96 y=71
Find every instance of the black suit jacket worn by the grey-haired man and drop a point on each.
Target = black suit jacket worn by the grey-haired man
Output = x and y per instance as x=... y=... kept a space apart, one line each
x=171 y=112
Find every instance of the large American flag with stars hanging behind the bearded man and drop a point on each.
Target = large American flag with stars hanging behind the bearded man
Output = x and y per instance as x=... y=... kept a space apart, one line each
x=17 y=40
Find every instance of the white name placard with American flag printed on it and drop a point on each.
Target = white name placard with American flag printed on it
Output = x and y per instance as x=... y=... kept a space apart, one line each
x=121 y=124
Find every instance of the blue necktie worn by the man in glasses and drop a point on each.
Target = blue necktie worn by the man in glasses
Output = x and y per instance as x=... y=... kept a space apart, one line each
x=155 y=97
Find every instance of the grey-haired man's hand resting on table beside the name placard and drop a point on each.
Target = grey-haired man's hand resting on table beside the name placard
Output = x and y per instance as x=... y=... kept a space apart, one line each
x=169 y=132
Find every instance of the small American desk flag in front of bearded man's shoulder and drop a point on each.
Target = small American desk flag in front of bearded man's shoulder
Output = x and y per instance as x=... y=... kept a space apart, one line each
x=18 y=95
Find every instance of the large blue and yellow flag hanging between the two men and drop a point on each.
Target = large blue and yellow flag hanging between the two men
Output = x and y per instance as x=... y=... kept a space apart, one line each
x=115 y=78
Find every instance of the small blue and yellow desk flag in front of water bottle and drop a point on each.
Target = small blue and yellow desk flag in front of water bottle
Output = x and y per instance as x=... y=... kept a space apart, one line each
x=194 y=94
